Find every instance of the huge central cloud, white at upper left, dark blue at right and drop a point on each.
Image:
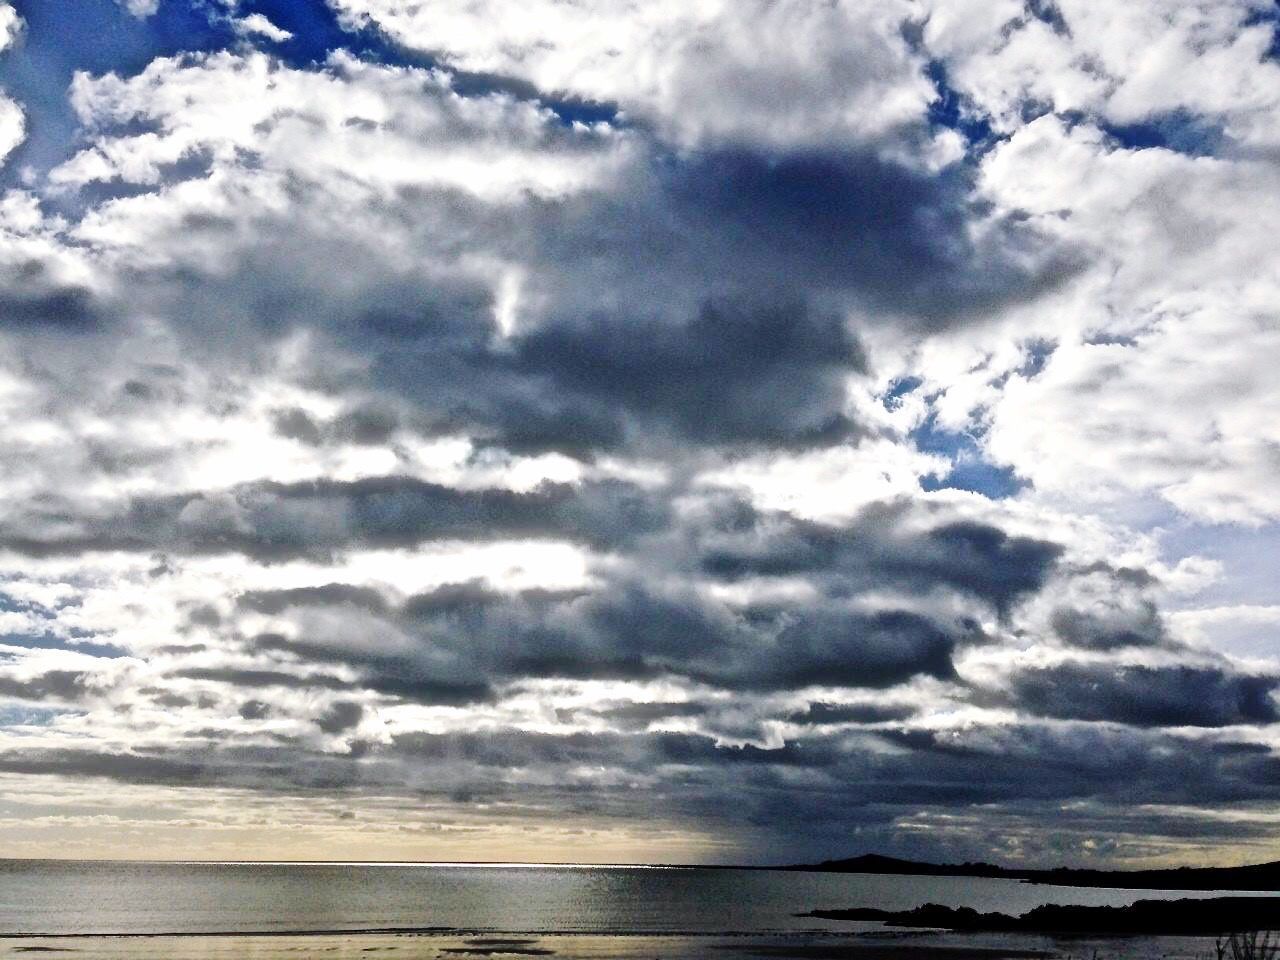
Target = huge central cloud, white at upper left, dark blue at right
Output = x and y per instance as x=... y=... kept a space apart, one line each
x=762 y=253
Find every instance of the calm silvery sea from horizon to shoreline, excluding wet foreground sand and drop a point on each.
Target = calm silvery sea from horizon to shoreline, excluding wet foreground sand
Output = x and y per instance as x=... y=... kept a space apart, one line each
x=62 y=898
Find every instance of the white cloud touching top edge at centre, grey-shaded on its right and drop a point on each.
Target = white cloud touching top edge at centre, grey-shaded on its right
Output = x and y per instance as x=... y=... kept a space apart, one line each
x=785 y=75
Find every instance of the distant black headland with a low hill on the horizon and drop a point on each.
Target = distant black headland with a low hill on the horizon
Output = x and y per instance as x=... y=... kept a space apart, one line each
x=1264 y=876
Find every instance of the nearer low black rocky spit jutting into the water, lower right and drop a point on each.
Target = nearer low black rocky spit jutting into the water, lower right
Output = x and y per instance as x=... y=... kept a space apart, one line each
x=1209 y=918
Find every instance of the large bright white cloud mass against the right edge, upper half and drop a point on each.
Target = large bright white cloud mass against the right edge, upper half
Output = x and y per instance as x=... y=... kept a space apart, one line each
x=1159 y=382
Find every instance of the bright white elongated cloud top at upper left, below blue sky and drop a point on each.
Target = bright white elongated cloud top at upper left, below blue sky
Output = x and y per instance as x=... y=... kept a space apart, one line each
x=358 y=126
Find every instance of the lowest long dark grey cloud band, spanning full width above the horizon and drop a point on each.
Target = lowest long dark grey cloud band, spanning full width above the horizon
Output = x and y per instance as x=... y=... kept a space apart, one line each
x=796 y=794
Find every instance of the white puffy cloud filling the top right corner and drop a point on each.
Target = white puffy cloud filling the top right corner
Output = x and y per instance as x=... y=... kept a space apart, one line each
x=1124 y=63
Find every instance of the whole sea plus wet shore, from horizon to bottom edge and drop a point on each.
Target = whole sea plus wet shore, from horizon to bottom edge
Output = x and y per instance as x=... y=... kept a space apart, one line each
x=292 y=911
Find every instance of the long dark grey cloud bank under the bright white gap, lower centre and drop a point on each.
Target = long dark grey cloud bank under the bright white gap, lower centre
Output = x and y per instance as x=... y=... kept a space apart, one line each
x=467 y=641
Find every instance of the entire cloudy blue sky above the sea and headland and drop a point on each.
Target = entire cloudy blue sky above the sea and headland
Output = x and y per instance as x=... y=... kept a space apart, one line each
x=702 y=432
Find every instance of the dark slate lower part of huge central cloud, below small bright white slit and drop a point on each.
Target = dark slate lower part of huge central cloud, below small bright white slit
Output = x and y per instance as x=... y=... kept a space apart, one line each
x=724 y=371
